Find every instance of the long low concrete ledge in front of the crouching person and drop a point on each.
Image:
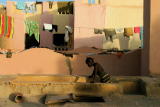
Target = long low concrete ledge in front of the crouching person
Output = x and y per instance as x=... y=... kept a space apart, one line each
x=40 y=85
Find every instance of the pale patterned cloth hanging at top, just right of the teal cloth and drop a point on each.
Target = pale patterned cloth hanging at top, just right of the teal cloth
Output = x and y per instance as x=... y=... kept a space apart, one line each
x=30 y=7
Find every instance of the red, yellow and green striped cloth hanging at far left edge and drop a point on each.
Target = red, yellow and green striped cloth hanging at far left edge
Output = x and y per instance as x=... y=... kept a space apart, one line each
x=6 y=26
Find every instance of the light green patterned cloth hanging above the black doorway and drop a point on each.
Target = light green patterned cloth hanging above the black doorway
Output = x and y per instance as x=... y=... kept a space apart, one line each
x=32 y=28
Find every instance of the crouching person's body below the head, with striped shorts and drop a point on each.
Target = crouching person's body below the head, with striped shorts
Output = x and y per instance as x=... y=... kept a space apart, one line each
x=99 y=71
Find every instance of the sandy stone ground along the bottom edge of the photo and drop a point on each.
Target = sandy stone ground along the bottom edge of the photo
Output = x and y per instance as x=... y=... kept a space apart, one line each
x=118 y=101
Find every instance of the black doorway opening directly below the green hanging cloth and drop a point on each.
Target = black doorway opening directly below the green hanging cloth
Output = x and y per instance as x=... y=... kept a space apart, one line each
x=30 y=41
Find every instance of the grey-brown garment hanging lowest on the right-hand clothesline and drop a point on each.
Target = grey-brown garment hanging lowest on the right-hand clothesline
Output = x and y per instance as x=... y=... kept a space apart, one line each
x=109 y=33
